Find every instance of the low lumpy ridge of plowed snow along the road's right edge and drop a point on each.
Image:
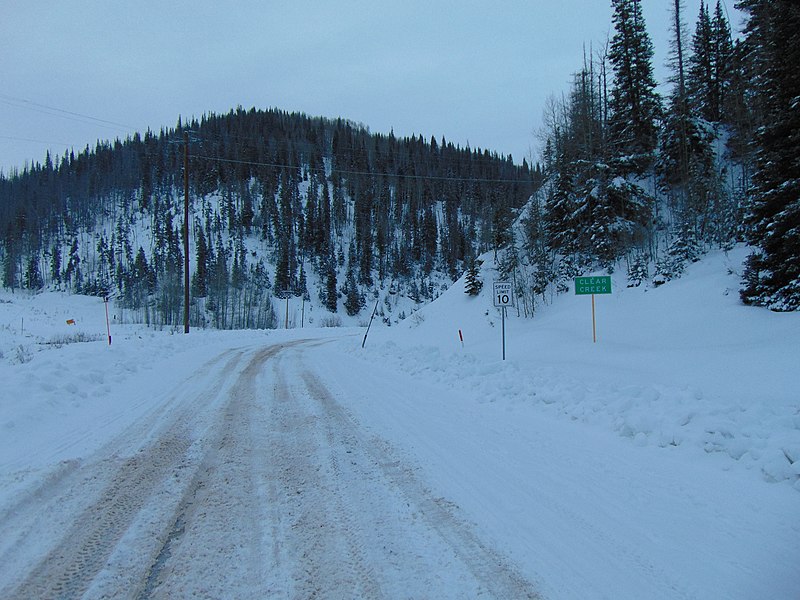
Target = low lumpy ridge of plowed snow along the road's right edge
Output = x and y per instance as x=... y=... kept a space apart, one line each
x=758 y=434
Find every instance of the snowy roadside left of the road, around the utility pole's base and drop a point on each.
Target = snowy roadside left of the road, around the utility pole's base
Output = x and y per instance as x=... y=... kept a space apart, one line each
x=66 y=391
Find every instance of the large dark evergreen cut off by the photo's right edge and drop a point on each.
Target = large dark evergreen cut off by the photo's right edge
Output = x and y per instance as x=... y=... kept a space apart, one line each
x=772 y=275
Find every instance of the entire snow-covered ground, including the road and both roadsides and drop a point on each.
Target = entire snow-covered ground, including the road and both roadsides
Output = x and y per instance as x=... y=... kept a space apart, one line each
x=662 y=461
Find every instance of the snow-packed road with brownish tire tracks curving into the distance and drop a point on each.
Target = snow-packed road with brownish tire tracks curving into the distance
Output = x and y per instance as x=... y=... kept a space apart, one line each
x=249 y=480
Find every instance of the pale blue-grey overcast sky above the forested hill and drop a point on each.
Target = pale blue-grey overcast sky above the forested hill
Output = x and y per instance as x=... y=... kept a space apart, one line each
x=474 y=72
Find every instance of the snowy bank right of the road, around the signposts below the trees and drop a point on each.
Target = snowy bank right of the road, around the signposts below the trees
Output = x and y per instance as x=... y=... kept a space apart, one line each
x=683 y=366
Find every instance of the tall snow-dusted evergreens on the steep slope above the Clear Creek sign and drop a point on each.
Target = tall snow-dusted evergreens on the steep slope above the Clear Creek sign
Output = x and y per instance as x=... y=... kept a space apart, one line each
x=651 y=183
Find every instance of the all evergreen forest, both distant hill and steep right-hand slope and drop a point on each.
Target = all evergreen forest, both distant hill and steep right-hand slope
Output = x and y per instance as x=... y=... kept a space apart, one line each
x=283 y=204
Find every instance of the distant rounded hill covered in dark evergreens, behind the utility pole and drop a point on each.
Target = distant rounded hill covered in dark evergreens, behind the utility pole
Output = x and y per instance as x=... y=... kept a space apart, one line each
x=277 y=199
